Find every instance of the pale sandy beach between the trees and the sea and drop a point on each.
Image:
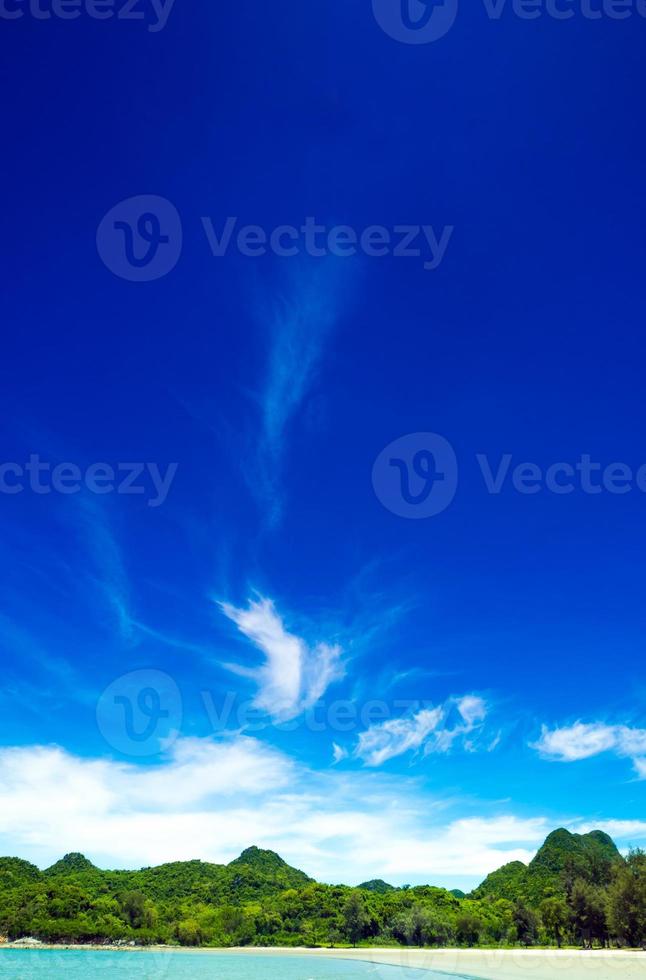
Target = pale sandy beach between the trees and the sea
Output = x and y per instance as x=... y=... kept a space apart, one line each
x=476 y=964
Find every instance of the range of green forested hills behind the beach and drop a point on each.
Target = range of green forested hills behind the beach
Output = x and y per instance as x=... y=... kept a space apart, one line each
x=577 y=889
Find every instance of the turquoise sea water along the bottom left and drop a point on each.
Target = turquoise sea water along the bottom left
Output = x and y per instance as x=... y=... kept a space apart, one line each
x=85 y=965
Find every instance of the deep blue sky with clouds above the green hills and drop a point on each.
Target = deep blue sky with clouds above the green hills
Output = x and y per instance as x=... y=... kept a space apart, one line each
x=430 y=696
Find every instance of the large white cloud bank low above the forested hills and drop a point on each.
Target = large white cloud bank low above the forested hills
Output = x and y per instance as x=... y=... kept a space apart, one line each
x=210 y=799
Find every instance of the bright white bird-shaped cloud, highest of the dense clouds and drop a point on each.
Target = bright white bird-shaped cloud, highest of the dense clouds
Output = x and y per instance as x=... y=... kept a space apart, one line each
x=294 y=675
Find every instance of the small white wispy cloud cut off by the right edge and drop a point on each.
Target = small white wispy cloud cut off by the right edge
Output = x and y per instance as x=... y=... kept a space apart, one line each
x=584 y=741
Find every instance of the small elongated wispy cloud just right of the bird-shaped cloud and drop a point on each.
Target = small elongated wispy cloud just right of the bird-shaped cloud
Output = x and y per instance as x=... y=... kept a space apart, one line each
x=427 y=731
